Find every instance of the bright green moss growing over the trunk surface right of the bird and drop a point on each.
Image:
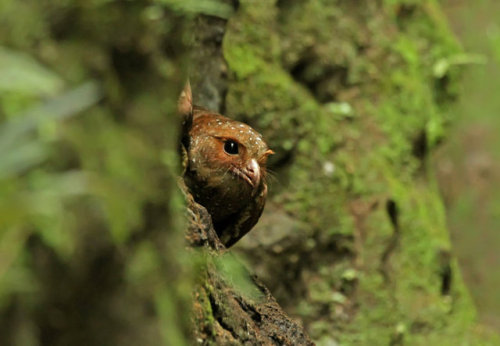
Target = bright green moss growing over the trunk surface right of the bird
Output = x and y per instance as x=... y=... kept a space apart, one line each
x=378 y=61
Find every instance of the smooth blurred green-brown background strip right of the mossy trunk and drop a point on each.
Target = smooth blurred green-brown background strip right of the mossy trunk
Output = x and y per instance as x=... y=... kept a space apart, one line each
x=468 y=165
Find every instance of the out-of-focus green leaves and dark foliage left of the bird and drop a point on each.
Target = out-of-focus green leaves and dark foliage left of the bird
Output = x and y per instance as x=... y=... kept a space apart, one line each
x=89 y=210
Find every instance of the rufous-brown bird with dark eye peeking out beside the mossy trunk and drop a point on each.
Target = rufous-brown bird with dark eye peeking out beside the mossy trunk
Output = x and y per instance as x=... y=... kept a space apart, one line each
x=225 y=168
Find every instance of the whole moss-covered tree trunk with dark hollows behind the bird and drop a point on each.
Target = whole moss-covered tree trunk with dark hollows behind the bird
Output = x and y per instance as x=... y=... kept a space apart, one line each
x=352 y=97
